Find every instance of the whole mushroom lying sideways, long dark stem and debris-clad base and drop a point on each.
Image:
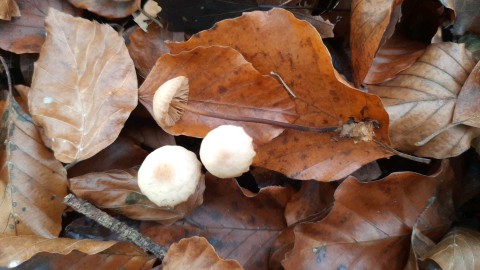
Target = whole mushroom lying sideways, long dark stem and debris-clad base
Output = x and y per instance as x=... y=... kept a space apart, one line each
x=170 y=101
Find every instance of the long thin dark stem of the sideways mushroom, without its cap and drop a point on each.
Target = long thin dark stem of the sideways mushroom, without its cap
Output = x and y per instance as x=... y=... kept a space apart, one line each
x=183 y=106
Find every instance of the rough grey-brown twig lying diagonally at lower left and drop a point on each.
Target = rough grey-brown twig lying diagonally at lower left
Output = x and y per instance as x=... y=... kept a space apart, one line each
x=122 y=229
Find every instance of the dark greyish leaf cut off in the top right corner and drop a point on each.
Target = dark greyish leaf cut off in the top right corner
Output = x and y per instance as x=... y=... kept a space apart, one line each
x=467 y=15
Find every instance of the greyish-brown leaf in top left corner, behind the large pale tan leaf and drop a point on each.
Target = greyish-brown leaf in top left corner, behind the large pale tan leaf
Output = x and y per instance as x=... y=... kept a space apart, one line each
x=26 y=34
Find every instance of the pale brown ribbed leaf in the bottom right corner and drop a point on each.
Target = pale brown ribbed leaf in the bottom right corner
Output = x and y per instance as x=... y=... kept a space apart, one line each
x=459 y=249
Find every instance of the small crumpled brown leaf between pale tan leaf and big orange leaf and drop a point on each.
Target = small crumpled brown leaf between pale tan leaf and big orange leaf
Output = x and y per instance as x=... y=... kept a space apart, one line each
x=146 y=48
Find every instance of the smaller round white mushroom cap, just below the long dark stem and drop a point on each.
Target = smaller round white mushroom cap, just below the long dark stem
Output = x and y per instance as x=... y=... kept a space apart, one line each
x=227 y=151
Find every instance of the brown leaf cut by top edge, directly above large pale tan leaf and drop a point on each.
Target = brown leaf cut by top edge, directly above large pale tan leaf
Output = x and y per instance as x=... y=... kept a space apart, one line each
x=108 y=8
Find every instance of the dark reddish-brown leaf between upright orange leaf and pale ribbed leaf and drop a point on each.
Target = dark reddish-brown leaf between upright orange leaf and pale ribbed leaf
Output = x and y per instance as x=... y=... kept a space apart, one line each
x=397 y=54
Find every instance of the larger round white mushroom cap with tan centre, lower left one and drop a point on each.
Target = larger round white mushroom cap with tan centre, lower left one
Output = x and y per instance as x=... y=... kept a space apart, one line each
x=169 y=175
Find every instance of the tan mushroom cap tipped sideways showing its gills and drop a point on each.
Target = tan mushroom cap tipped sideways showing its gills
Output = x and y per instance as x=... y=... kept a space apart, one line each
x=176 y=89
